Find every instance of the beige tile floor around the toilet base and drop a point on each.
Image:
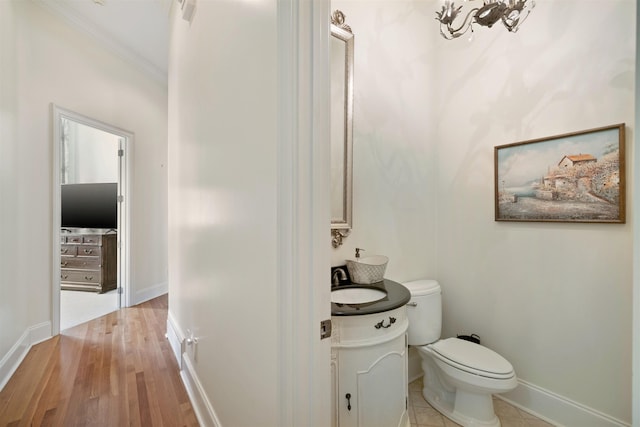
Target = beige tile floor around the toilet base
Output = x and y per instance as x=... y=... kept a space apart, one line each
x=422 y=414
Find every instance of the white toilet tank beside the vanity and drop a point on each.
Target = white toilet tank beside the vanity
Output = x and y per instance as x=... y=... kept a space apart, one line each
x=424 y=311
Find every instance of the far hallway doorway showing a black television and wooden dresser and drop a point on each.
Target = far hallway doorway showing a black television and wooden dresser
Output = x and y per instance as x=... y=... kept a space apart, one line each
x=90 y=217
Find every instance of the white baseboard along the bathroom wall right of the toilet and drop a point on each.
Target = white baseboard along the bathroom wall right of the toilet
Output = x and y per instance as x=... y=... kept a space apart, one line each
x=556 y=409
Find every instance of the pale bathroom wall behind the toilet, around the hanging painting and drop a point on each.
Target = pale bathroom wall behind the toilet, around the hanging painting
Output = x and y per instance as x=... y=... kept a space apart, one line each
x=554 y=299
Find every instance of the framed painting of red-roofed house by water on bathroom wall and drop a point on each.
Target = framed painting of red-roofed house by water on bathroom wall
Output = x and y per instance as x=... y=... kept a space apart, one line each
x=575 y=177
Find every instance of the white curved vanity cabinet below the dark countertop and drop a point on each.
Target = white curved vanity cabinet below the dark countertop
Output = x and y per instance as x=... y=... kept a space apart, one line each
x=369 y=368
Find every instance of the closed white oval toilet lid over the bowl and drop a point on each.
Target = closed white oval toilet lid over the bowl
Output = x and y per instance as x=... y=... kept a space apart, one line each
x=473 y=358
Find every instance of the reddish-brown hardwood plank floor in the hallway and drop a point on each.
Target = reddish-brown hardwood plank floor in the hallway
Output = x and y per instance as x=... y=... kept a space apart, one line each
x=116 y=370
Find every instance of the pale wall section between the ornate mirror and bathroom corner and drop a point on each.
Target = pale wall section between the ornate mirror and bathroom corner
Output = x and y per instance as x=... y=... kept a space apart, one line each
x=394 y=180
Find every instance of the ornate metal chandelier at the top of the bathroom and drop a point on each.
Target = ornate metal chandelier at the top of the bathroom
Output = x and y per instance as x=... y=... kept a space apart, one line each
x=512 y=13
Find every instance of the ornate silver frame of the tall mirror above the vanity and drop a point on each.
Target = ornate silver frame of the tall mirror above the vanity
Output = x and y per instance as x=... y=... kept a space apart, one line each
x=341 y=227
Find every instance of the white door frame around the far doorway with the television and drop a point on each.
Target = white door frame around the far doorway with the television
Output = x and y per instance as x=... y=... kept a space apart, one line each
x=124 y=185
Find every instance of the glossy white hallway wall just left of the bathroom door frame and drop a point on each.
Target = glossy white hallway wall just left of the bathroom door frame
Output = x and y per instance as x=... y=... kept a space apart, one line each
x=222 y=204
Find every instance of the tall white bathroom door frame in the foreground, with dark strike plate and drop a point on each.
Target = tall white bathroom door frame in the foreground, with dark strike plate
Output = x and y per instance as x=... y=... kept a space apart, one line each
x=303 y=208
